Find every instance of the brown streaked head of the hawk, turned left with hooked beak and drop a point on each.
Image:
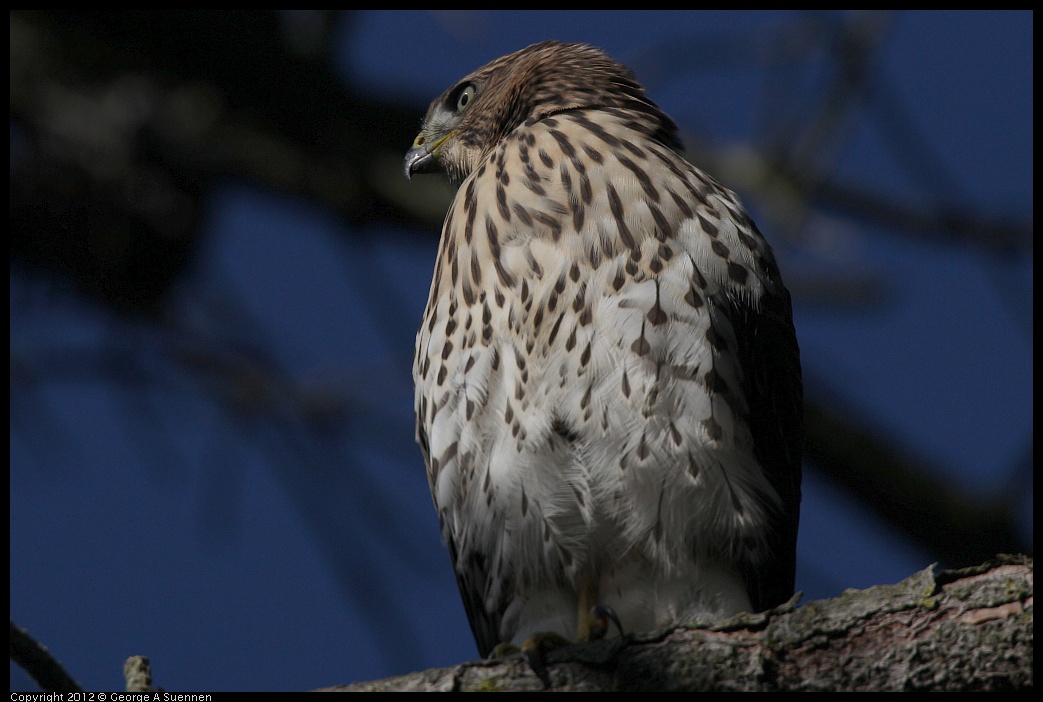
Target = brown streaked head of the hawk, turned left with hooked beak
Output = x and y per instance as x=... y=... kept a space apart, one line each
x=469 y=120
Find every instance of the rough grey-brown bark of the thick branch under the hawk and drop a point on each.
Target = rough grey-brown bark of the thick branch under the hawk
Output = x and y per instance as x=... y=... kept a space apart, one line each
x=953 y=631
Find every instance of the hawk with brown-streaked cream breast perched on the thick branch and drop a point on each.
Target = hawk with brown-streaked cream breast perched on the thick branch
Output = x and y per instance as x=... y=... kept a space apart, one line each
x=608 y=381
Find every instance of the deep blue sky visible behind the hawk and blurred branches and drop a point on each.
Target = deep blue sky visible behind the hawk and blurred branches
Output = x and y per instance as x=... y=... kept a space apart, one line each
x=245 y=554
